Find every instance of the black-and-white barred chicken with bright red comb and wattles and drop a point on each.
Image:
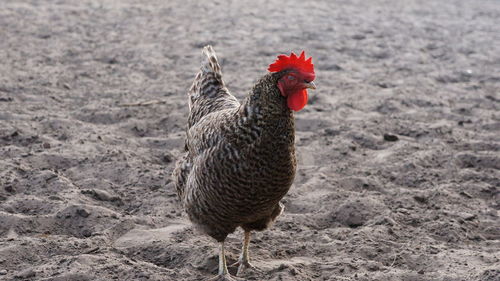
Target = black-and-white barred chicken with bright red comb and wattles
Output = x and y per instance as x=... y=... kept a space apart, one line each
x=239 y=158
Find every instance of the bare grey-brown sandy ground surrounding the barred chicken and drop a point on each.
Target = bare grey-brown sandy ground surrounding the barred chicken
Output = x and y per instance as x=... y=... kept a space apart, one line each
x=399 y=163
